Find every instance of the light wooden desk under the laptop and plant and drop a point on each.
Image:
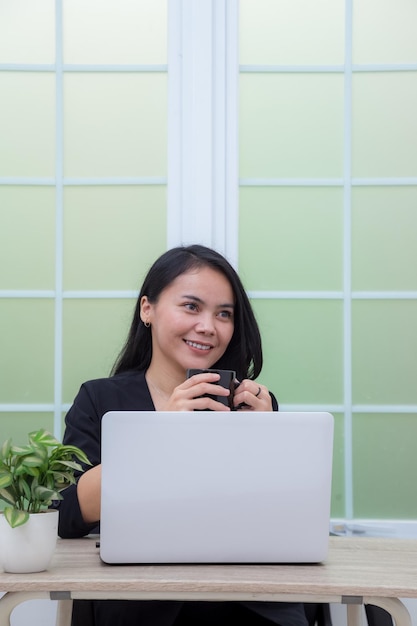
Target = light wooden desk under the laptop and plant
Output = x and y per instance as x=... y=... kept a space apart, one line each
x=357 y=571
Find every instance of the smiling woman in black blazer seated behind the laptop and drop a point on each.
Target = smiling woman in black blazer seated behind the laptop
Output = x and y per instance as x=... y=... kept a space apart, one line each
x=192 y=313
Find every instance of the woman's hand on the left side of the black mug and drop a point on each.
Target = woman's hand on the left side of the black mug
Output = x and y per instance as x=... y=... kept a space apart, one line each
x=191 y=394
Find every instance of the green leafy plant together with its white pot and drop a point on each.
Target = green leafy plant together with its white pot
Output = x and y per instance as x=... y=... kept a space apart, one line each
x=31 y=477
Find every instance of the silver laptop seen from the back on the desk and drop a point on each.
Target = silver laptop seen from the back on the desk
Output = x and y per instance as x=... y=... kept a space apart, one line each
x=215 y=487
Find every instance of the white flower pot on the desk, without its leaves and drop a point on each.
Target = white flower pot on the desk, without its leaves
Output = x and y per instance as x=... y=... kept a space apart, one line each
x=28 y=548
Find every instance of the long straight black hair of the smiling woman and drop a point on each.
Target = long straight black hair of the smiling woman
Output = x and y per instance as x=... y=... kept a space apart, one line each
x=244 y=352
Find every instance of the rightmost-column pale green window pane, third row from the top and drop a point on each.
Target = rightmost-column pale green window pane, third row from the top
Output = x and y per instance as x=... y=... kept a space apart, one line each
x=384 y=228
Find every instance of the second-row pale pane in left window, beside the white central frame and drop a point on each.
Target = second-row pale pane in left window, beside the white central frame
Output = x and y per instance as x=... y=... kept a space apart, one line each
x=115 y=124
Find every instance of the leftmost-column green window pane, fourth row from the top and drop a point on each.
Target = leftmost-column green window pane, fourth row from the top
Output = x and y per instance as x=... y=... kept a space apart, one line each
x=27 y=352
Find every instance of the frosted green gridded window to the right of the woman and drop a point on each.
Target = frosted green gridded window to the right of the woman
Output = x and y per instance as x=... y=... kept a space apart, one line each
x=328 y=228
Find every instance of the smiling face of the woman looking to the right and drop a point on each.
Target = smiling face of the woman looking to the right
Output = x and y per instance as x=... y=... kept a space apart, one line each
x=192 y=322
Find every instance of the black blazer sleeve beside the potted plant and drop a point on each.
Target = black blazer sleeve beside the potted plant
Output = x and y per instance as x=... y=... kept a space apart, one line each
x=83 y=429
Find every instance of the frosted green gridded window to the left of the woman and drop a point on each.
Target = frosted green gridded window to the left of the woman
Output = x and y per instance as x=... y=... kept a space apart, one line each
x=83 y=207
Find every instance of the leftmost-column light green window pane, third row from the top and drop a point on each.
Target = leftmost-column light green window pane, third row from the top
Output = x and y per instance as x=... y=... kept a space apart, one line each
x=27 y=238
